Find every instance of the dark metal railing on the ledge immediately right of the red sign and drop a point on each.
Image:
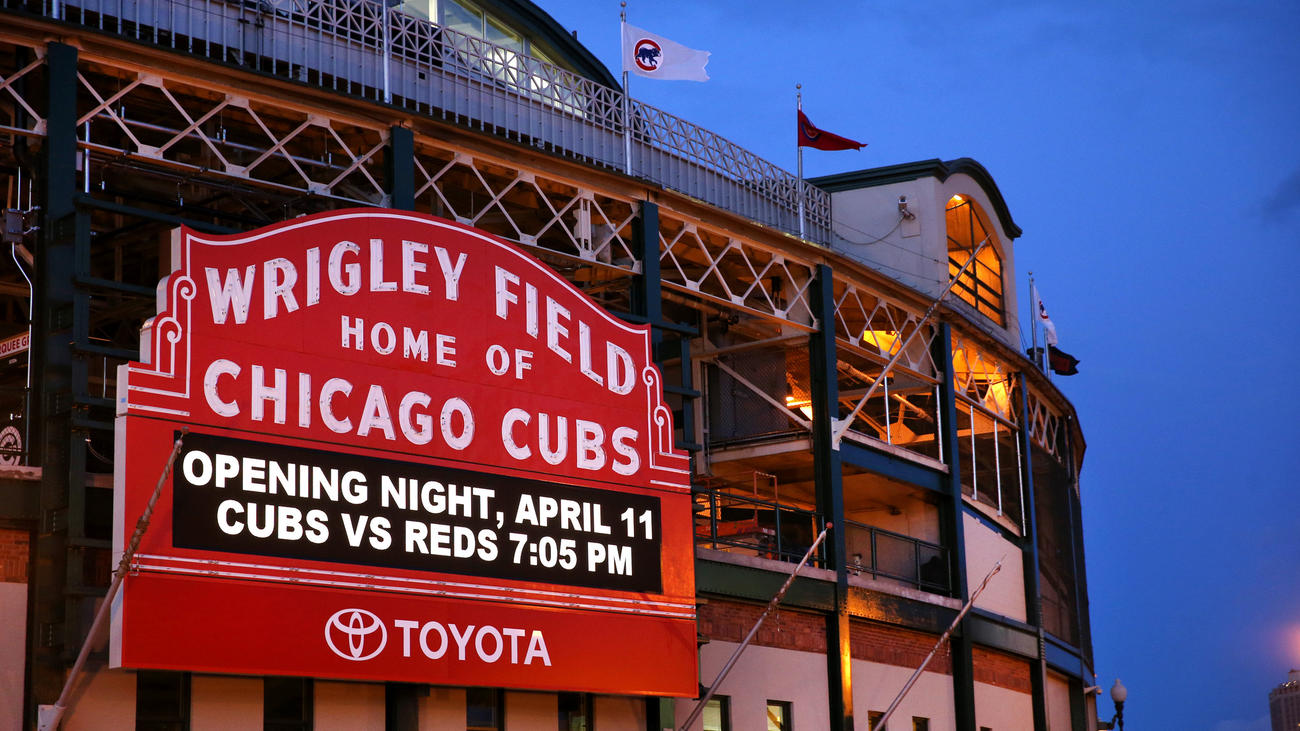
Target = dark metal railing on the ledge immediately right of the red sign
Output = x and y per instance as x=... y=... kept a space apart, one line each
x=733 y=522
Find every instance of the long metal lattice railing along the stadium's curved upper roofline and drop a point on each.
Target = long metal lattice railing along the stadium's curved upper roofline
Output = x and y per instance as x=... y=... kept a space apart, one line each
x=359 y=49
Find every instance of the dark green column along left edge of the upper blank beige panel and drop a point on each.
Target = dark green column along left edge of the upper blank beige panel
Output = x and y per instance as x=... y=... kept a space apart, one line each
x=955 y=535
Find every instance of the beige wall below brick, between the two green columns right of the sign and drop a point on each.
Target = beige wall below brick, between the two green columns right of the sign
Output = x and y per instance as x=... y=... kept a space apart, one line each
x=876 y=686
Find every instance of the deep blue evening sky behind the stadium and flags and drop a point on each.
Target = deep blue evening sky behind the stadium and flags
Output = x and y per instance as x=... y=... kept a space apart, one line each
x=1151 y=152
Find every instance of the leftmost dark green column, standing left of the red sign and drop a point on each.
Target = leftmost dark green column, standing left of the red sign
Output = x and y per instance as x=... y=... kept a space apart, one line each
x=53 y=386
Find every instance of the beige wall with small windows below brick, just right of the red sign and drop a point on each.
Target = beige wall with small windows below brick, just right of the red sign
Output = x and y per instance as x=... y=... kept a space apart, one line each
x=762 y=674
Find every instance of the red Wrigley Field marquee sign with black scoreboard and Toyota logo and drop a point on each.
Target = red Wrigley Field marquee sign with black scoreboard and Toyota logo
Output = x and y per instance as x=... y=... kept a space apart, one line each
x=410 y=453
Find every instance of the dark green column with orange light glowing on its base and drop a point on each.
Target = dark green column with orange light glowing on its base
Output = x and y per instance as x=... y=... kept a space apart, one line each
x=827 y=466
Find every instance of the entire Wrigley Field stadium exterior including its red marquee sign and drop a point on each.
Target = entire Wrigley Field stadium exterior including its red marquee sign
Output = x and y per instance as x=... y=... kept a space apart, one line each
x=812 y=380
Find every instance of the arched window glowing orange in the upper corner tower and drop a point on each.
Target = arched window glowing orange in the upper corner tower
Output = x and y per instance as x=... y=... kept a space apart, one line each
x=982 y=283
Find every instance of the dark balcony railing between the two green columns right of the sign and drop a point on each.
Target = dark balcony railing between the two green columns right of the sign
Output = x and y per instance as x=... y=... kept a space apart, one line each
x=894 y=556
